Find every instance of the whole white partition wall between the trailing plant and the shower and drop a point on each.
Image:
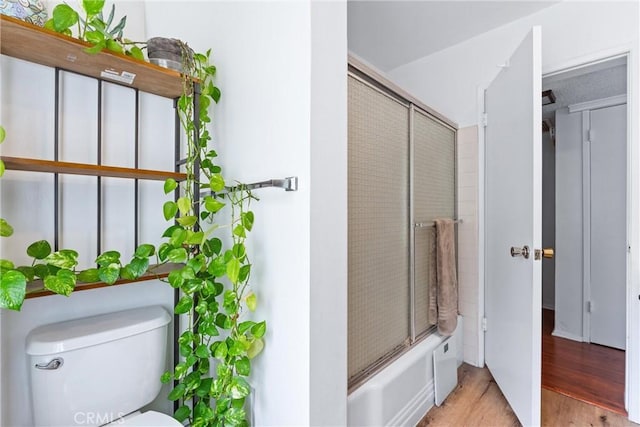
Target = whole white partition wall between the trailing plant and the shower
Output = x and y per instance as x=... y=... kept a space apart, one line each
x=282 y=74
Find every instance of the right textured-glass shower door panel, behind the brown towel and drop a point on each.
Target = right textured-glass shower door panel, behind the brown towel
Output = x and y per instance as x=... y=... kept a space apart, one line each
x=433 y=197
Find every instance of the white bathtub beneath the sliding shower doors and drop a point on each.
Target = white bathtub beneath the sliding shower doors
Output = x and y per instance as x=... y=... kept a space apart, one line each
x=402 y=393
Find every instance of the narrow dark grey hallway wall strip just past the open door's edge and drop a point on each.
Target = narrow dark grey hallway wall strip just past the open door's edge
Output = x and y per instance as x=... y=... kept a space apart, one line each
x=548 y=219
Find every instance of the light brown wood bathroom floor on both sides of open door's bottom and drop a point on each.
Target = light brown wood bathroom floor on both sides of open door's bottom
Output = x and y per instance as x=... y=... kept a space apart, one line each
x=477 y=401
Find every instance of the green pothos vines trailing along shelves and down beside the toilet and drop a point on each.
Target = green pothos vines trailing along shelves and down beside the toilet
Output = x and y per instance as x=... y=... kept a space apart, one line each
x=210 y=380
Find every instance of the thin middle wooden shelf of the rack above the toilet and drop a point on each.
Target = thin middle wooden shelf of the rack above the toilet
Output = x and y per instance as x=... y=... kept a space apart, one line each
x=51 y=166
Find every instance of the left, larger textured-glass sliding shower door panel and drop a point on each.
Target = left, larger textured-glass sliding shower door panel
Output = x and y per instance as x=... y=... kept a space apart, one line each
x=378 y=222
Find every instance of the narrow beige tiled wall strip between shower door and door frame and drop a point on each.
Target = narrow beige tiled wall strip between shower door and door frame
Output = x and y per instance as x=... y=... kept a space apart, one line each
x=468 y=278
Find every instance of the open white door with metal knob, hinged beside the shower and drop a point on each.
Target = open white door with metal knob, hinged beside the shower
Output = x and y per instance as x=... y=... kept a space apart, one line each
x=513 y=218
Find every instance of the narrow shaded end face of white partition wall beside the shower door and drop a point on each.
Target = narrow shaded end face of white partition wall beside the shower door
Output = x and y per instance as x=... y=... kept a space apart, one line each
x=328 y=328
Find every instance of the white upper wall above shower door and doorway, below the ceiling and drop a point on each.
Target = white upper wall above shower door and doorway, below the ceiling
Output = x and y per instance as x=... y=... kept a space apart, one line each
x=448 y=80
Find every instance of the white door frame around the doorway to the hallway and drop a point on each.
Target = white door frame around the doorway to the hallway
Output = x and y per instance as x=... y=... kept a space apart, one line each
x=632 y=354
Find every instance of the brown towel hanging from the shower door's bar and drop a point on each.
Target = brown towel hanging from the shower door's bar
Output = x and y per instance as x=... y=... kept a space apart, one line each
x=447 y=282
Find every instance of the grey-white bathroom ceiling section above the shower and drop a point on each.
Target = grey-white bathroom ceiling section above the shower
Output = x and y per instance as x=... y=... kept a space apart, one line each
x=388 y=34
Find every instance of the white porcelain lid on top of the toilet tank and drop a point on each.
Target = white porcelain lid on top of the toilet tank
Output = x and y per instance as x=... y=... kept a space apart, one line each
x=79 y=333
